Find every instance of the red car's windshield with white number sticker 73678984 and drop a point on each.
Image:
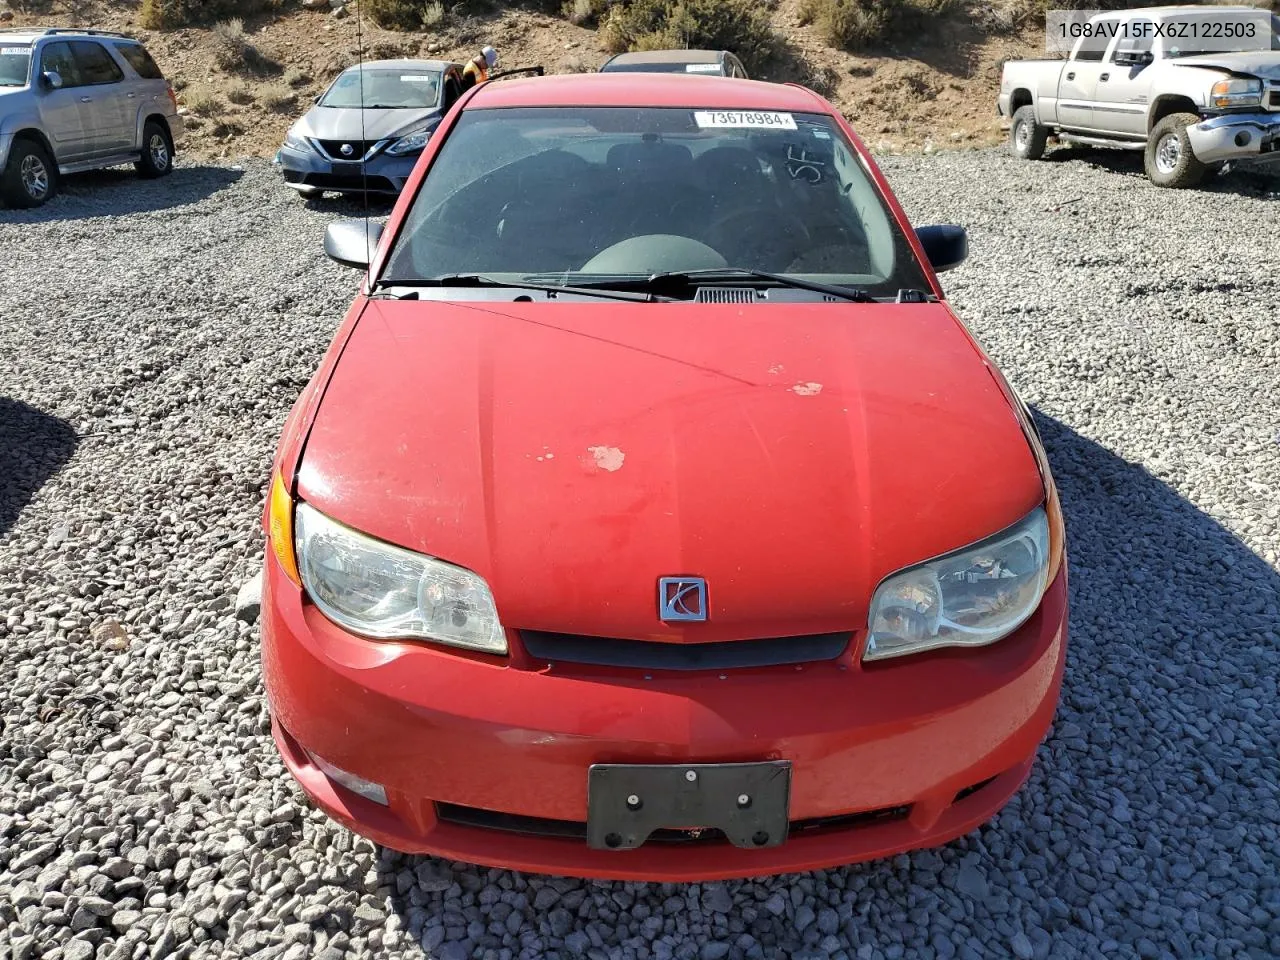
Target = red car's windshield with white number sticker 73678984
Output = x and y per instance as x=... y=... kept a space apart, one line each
x=596 y=193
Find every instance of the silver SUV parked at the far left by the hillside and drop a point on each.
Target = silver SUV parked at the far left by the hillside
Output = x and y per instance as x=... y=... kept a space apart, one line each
x=77 y=100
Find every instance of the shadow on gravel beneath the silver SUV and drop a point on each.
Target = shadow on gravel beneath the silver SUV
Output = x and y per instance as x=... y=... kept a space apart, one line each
x=120 y=193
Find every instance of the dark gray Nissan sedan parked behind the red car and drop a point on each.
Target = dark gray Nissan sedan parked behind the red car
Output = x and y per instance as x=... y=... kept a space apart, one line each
x=368 y=130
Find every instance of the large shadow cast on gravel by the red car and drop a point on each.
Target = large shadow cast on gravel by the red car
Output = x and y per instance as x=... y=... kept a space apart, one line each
x=1146 y=821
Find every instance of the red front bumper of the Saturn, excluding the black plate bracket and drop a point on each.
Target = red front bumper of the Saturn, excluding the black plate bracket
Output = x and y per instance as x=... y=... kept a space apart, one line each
x=487 y=762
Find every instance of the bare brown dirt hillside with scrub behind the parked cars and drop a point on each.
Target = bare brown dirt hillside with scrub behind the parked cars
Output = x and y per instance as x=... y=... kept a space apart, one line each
x=932 y=90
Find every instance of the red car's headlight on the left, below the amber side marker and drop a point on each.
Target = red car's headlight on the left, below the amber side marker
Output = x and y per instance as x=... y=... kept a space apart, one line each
x=387 y=592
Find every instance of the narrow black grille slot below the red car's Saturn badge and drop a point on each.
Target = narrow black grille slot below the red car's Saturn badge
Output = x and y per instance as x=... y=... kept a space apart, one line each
x=647 y=655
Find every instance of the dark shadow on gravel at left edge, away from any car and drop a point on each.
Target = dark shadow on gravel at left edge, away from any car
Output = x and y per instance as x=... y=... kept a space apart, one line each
x=34 y=447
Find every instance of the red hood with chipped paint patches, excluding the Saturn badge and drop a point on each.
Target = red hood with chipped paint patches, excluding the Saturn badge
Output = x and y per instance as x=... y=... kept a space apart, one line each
x=574 y=454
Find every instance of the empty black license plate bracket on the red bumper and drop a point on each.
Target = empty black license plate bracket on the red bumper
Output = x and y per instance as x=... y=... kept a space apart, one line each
x=749 y=802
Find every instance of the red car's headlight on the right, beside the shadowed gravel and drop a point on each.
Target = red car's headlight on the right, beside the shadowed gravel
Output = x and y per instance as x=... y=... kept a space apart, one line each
x=968 y=598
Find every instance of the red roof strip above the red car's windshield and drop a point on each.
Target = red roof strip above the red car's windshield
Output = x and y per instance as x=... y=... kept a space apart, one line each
x=647 y=90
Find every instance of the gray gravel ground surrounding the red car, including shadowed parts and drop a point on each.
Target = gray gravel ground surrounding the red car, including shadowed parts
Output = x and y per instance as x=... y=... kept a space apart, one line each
x=153 y=340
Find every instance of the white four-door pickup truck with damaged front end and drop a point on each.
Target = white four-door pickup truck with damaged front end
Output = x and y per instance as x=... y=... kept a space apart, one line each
x=1133 y=81
